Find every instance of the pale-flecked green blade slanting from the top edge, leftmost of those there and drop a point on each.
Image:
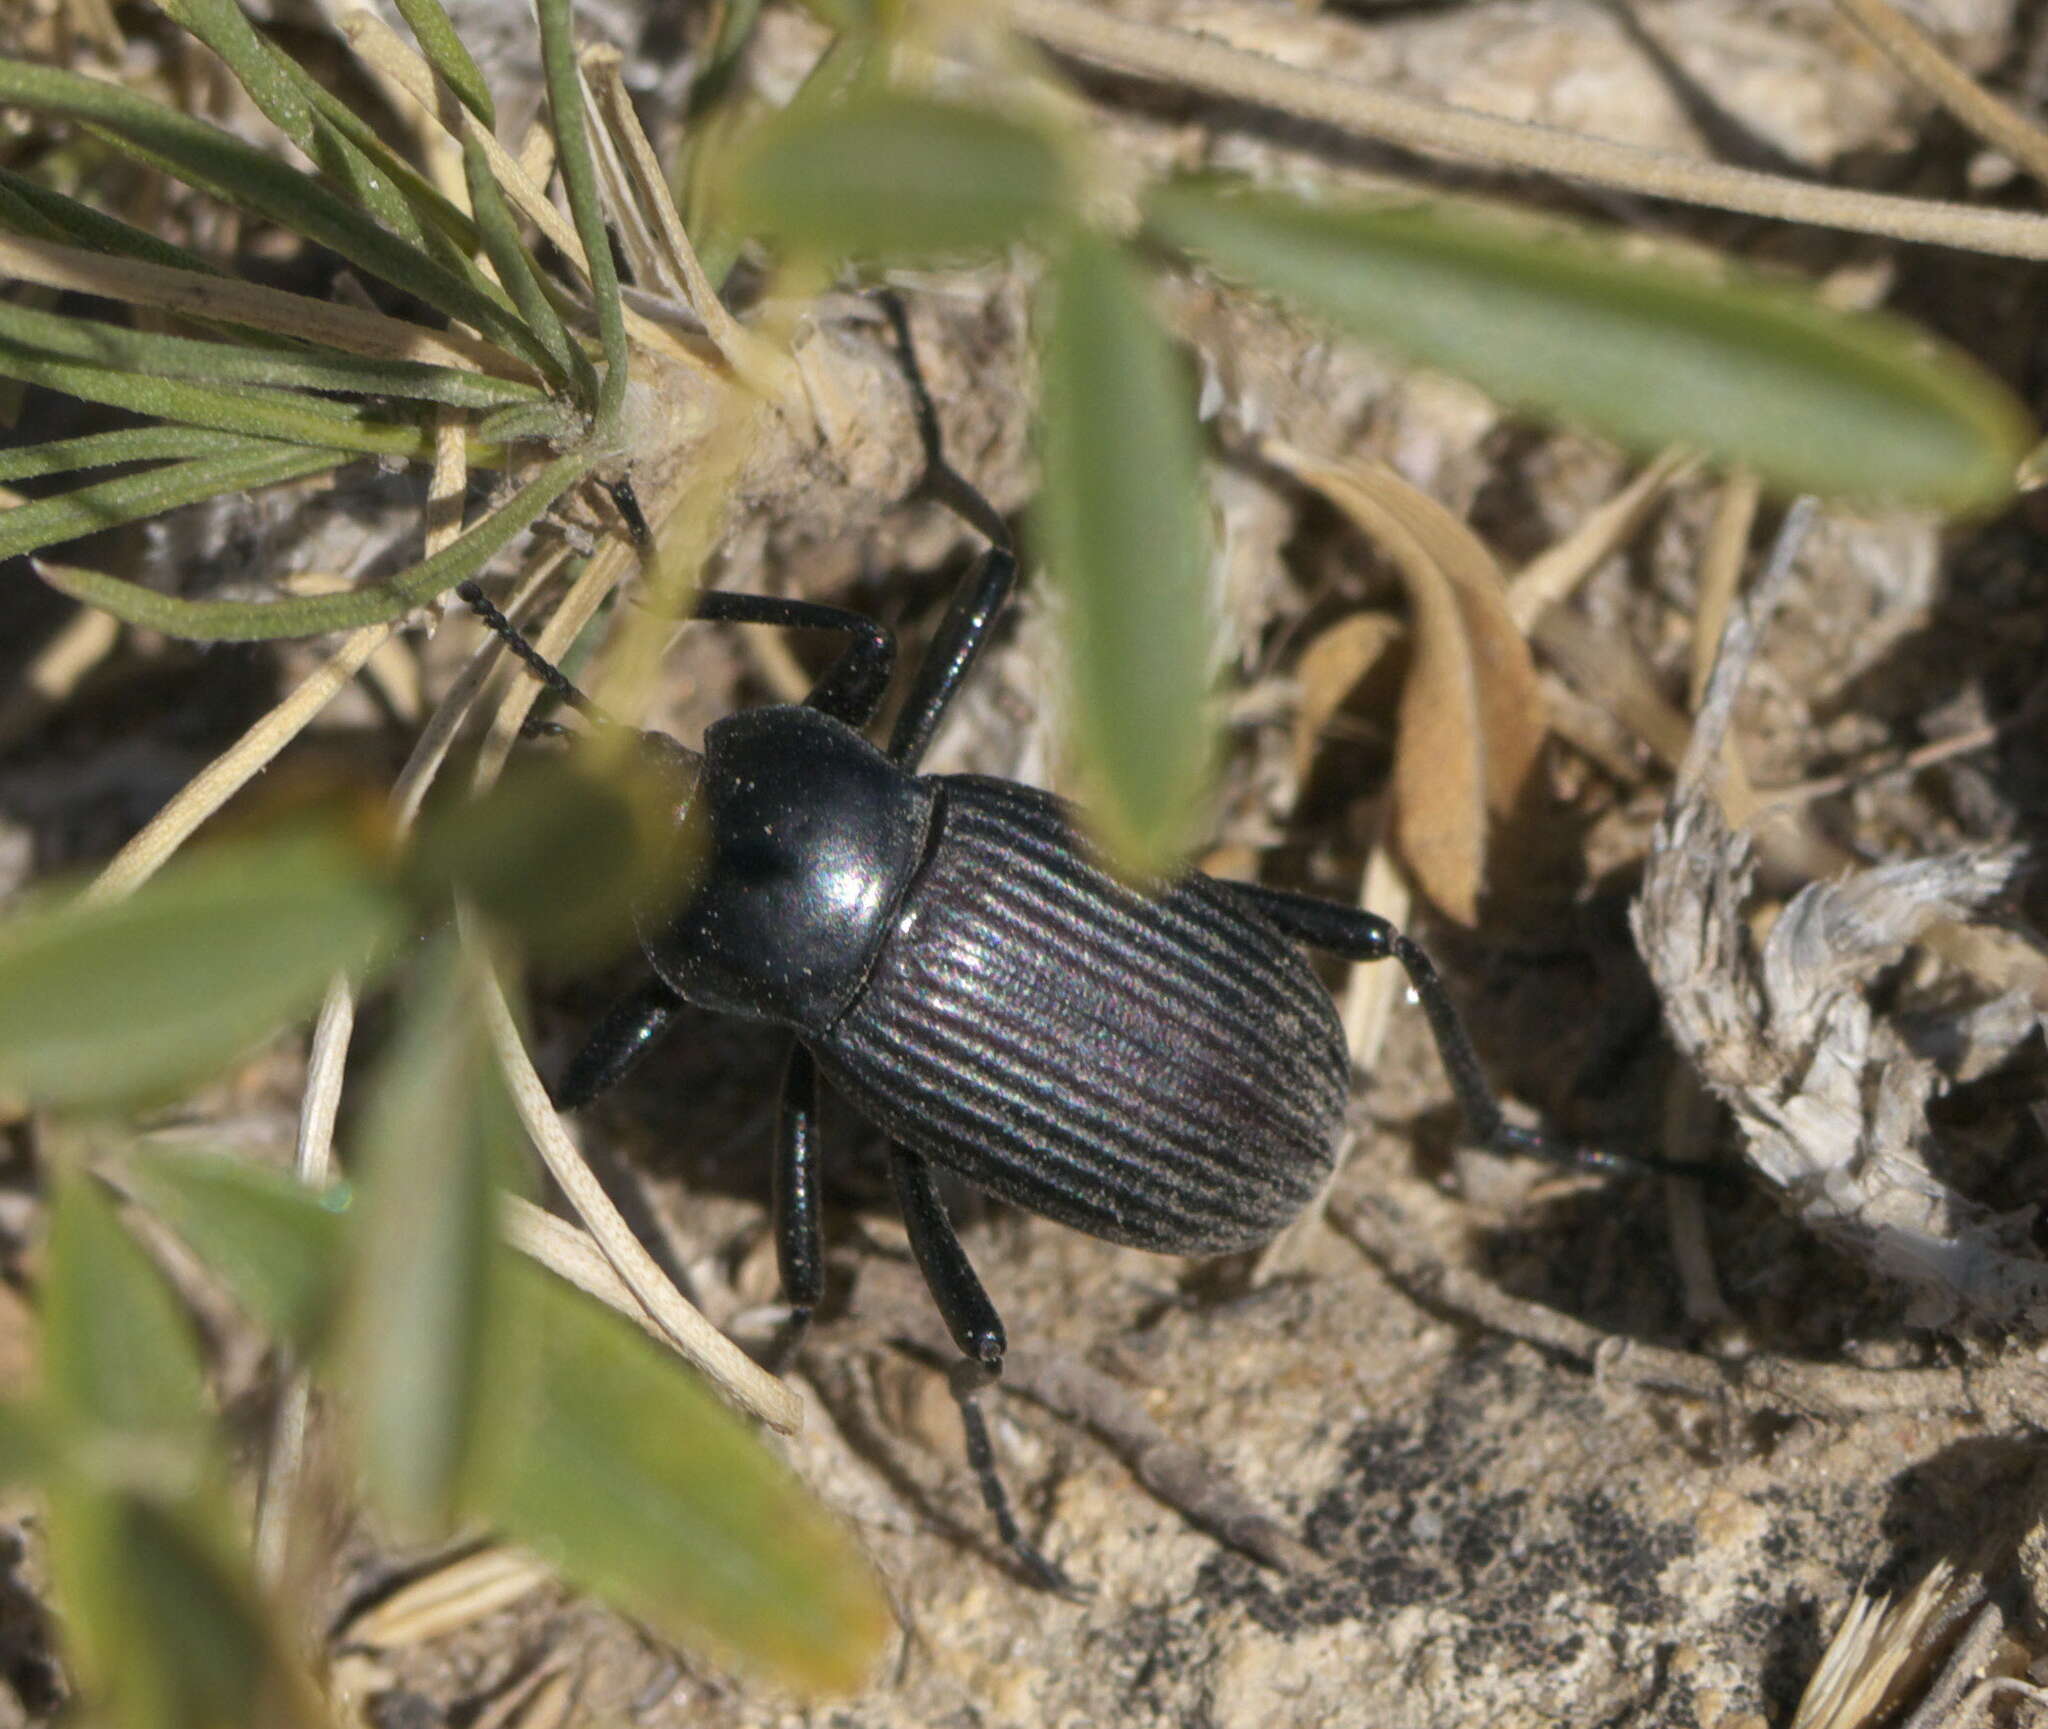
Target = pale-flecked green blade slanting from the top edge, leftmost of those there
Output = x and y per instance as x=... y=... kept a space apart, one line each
x=347 y=151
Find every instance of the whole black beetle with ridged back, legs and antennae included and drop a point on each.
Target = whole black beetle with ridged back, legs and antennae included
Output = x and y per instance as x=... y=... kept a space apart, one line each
x=1158 y=1070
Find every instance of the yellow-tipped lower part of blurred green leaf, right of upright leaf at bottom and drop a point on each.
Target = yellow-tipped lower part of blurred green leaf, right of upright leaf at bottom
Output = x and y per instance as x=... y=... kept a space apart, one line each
x=626 y=1474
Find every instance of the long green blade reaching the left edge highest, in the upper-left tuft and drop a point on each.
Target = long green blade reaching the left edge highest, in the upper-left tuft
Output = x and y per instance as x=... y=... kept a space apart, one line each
x=216 y=163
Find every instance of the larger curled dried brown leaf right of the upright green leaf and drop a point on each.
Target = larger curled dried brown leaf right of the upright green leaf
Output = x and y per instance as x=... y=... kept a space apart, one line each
x=1471 y=714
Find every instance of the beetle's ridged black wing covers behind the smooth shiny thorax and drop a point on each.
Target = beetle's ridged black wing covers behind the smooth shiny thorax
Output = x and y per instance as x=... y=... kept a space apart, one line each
x=1162 y=1072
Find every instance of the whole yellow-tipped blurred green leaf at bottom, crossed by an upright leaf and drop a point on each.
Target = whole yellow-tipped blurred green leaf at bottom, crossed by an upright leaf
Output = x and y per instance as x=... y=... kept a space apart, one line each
x=603 y=1451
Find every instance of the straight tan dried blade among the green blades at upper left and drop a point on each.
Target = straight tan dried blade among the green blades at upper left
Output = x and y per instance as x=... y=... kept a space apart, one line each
x=220 y=300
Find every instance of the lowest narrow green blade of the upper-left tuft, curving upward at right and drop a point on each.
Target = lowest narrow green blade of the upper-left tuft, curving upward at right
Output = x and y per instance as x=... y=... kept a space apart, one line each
x=220 y=622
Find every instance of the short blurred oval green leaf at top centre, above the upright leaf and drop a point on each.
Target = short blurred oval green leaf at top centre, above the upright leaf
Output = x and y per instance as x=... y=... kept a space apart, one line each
x=898 y=177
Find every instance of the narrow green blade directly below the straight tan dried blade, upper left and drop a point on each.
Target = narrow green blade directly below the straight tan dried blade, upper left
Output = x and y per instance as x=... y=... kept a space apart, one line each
x=239 y=364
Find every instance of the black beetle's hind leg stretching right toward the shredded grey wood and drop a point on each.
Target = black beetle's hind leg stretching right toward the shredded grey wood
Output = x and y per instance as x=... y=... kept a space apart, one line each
x=1359 y=935
